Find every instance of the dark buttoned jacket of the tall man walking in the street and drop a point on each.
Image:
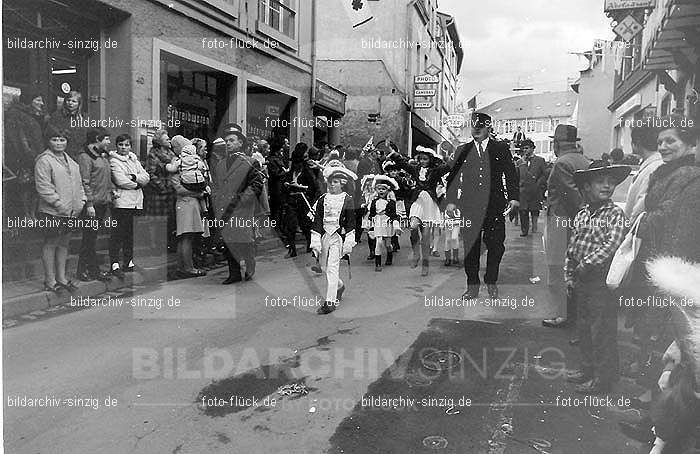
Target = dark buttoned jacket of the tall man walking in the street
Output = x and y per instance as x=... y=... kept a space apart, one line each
x=476 y=185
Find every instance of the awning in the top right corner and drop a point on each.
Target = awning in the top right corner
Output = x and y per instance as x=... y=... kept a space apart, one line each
x=675 y=43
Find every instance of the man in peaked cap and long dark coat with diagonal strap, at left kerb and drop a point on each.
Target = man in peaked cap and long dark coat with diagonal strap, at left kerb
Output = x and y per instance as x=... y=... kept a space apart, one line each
x=237 y=186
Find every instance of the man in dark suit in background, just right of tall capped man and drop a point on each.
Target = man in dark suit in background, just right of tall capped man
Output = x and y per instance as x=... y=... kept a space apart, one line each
x=533 y=177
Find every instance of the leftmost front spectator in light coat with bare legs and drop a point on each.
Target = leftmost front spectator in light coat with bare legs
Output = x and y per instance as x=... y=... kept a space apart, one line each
x=61 y=199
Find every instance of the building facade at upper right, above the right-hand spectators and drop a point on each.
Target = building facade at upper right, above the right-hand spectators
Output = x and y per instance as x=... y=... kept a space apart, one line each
x=657 y=73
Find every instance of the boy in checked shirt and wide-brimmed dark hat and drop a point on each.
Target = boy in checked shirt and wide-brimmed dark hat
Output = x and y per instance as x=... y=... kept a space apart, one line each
x=599 y=228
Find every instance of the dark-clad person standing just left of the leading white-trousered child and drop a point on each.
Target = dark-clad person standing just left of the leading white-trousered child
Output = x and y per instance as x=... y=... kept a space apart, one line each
x=298 y=183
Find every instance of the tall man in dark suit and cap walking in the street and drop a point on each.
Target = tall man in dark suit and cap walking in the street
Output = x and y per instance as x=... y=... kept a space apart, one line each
x=475 y=187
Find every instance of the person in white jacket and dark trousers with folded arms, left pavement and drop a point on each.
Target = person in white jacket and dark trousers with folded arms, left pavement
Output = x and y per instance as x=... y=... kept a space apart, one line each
x=128 y=176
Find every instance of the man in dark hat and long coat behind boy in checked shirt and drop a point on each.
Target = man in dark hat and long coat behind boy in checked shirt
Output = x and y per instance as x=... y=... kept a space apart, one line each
x=563 y=201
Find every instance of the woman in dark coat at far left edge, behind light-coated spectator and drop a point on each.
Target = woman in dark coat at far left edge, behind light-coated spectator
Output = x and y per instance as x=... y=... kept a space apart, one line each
x=25 y=122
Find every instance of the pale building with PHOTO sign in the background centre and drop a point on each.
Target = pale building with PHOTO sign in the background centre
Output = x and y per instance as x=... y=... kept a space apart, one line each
x=374 y=54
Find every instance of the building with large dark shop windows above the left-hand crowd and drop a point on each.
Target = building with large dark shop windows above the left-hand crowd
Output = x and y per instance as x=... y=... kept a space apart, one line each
x=189 y=66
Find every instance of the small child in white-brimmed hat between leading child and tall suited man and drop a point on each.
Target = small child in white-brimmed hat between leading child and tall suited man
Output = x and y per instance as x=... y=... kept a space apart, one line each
x=384 y=219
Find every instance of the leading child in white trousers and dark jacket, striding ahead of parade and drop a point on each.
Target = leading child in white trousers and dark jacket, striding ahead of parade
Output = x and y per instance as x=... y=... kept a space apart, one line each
x=333 y=232
